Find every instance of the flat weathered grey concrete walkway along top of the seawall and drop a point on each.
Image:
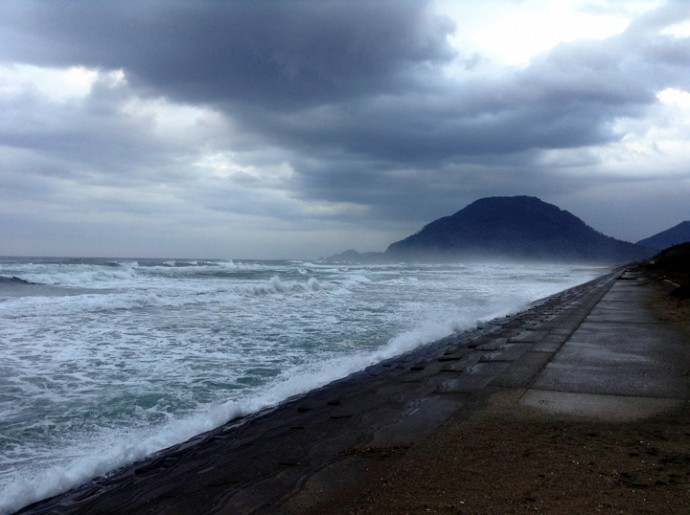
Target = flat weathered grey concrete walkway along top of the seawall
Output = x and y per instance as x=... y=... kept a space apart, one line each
x=621 y=363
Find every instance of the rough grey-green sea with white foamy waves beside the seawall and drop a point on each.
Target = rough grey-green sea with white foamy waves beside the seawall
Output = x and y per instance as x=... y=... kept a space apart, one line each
x=106 y=361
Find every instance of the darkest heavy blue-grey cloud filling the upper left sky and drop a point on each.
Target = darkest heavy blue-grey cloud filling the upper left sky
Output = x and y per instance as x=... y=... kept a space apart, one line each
x=277 y=54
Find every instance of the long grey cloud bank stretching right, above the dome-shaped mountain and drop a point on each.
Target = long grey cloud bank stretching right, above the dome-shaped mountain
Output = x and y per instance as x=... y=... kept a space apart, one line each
x=567 y=98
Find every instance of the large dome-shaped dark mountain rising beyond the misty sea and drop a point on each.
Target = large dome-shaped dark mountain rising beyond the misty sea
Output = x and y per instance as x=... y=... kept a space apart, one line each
x=513 y=228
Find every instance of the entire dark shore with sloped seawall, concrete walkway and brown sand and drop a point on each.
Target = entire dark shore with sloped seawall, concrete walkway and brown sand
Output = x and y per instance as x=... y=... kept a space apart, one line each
x=520 y=415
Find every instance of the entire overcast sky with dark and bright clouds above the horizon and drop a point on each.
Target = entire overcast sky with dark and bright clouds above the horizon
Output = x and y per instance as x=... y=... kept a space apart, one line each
x=302 y=128
